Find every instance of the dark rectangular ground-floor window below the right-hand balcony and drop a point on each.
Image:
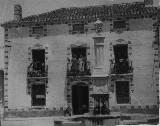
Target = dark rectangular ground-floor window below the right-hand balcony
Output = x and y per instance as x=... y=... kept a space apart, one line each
x=122 y=92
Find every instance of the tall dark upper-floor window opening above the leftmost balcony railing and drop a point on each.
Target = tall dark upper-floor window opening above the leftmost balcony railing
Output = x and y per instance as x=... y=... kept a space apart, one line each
x=38 y=58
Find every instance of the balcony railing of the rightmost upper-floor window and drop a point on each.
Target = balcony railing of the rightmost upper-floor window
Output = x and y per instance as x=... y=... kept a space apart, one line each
x=122 y=66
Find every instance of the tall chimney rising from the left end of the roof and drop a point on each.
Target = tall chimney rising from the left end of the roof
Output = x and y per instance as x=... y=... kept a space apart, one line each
x=17 y=12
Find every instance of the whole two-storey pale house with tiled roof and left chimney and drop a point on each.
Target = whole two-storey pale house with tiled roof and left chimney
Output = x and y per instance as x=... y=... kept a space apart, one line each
x=91 y=59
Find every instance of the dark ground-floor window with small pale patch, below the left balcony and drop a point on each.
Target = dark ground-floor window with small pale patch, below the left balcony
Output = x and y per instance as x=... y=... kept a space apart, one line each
x=38 y=95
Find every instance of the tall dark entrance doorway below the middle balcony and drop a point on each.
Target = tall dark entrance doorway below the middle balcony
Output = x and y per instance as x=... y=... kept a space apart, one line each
x=80 y=99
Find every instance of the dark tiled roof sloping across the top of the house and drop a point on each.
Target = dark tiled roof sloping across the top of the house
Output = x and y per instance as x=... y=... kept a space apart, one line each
x=104 y=12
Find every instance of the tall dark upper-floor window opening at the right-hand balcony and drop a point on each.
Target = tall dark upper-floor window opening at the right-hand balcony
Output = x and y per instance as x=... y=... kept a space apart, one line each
x=121 y=58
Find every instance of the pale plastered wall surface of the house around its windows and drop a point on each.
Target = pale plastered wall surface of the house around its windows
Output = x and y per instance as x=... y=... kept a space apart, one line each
x=58 y=39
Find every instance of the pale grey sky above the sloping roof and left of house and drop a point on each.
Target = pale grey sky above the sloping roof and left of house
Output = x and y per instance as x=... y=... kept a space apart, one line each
x=31 y=7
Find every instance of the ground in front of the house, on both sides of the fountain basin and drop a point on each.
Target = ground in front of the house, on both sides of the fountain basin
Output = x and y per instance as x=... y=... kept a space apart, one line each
x=49 y=121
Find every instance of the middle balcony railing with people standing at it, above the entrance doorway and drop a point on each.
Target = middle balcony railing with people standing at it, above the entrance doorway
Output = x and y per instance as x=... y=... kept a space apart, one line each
x=77 y=67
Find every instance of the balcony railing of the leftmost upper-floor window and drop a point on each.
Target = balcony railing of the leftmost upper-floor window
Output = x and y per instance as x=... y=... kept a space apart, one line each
x=41 y=71
